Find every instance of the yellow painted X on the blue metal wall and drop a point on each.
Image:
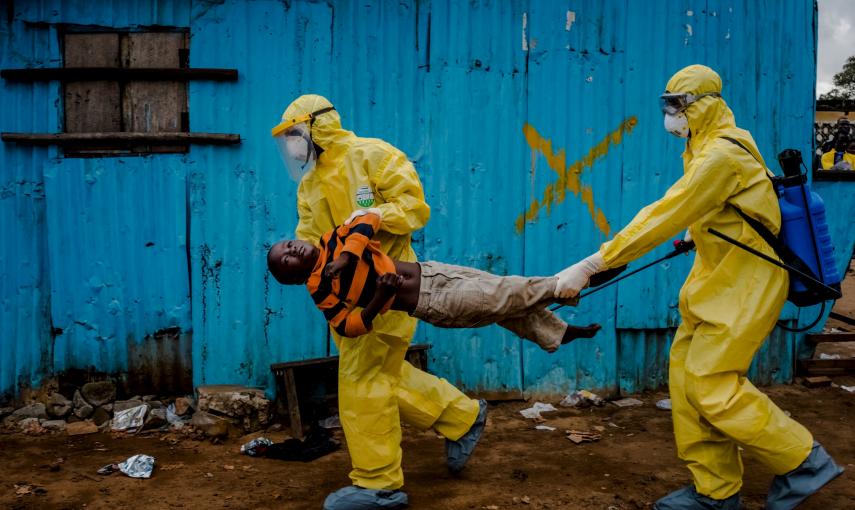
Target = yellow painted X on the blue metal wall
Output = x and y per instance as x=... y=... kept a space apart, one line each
x=568 y=176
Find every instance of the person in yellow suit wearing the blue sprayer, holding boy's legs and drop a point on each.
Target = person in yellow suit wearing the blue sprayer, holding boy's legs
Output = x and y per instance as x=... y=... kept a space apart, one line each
x=728 y=305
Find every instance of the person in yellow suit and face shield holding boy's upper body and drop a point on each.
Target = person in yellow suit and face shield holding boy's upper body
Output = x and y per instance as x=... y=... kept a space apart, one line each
x=341 y=176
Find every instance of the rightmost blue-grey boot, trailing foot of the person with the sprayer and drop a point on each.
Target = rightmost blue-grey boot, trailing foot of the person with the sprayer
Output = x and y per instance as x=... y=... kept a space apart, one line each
x=789 y=490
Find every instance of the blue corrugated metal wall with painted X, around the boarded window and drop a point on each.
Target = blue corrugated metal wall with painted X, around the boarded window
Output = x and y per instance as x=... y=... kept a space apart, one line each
x=534 y=126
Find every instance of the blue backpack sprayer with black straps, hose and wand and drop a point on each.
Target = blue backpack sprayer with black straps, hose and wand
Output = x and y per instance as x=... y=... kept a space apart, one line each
x=804 y=245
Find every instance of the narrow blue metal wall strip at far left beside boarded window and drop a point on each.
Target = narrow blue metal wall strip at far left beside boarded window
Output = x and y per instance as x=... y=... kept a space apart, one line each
x=25 y=341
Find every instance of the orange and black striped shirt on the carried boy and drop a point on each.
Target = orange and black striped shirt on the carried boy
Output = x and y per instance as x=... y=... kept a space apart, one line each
x=341 y=298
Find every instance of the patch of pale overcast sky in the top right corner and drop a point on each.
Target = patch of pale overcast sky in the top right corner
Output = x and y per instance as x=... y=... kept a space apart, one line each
x=836 y=40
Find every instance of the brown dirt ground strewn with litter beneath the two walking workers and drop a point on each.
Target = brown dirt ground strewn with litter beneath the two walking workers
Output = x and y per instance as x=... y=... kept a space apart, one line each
x=630 y=467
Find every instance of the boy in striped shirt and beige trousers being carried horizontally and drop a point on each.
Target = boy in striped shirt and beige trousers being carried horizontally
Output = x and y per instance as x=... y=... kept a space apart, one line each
x=349 y=272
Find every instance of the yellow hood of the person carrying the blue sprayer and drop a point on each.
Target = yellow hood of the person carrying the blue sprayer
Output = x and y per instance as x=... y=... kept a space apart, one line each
x=707 y=115
